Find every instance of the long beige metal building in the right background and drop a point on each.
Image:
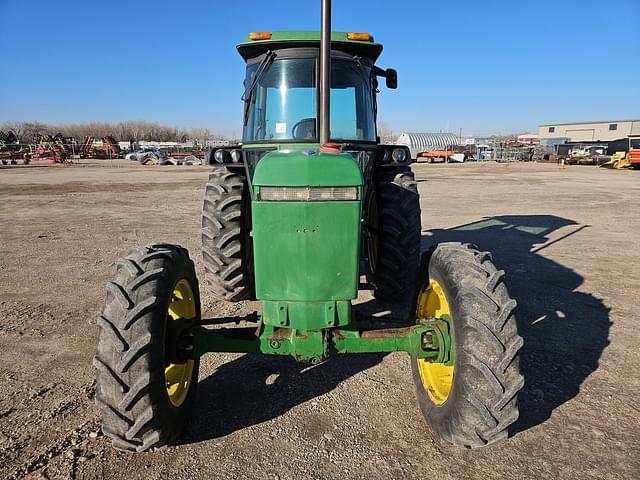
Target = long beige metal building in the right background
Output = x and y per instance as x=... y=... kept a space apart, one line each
x=590 y=131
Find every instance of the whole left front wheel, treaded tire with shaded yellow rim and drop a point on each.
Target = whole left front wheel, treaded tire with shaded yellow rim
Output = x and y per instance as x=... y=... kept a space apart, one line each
x=145 y=383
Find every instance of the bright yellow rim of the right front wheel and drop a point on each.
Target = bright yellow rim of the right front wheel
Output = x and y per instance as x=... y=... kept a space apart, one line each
x=437 y=378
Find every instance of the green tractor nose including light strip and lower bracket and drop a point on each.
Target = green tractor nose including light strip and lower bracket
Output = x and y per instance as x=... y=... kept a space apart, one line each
x=306 y=237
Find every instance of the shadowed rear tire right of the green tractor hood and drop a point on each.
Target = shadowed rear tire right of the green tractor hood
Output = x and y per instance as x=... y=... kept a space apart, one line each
x=395 y=228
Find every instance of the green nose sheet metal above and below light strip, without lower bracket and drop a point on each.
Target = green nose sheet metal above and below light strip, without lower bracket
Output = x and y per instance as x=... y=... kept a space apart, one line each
x=306 y=251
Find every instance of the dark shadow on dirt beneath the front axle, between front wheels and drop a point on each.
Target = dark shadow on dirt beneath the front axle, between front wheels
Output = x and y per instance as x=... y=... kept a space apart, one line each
x=257 y=388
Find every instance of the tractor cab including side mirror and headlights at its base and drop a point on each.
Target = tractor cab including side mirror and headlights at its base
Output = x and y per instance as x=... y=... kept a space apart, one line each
x=282 y=97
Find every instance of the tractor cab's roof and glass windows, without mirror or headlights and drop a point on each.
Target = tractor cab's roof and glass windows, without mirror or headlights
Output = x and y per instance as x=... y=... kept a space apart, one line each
x=281 y=89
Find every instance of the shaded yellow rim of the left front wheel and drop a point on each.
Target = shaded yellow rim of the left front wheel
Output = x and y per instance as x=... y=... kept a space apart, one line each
x=177 y=377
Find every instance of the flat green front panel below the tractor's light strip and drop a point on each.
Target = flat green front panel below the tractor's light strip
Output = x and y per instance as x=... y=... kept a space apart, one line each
x=306 y=251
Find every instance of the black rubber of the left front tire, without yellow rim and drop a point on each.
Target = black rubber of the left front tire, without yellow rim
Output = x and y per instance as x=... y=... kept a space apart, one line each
x=130 y=387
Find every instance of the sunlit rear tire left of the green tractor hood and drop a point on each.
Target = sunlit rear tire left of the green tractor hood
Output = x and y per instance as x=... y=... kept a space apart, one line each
x=227 y=249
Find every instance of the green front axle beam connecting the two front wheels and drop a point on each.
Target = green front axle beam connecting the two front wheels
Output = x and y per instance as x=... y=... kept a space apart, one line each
x=428 y=339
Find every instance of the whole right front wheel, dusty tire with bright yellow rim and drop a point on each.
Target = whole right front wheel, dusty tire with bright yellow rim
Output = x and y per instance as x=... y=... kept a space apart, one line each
x=473 y=402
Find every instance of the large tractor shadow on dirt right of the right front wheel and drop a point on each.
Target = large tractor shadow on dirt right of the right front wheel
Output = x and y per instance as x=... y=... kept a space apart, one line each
x=565 y=331
